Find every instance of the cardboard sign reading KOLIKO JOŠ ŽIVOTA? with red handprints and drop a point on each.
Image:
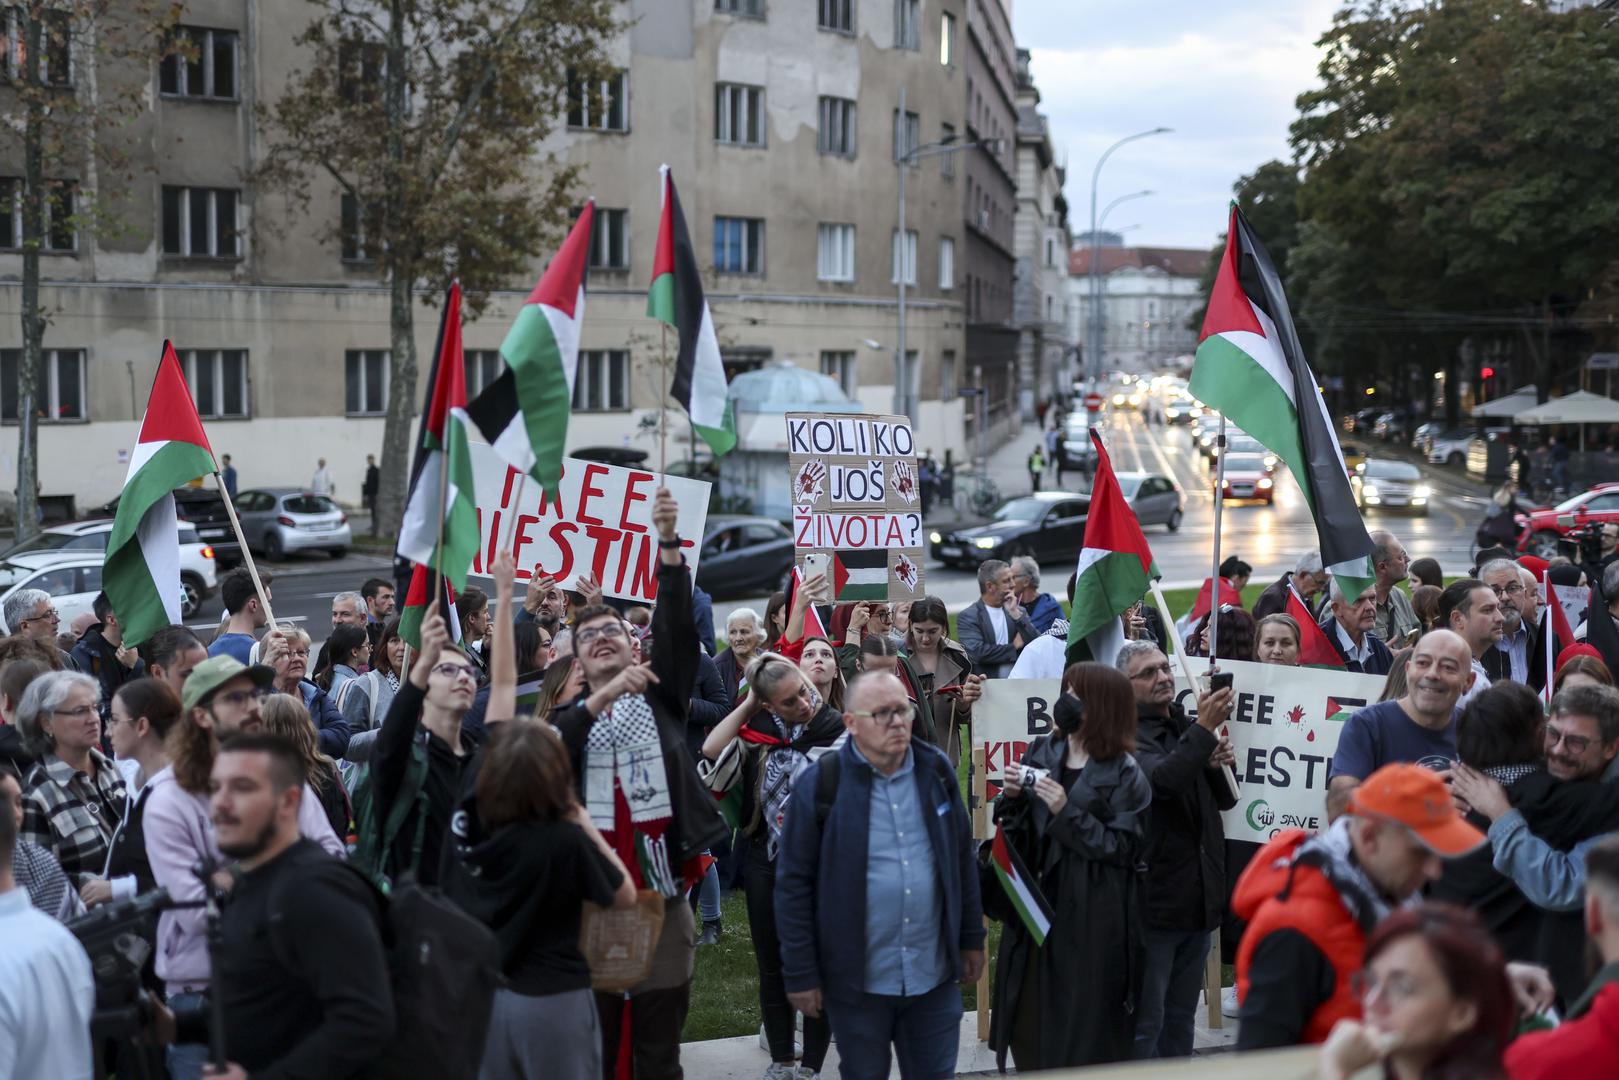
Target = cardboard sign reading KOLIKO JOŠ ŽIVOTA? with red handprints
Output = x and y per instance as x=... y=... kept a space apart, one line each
x=857 y=504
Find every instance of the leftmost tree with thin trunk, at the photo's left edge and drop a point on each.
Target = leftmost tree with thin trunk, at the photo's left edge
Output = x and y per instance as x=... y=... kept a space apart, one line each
x=74 y=75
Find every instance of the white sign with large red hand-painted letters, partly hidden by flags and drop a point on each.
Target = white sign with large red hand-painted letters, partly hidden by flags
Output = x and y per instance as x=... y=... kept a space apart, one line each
x=601 y=524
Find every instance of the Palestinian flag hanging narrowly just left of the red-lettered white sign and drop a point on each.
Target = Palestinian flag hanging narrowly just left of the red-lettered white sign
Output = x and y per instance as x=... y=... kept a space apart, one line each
x=441 y=517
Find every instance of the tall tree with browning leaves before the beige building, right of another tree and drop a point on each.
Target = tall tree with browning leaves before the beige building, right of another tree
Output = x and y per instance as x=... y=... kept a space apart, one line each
x=425 y=114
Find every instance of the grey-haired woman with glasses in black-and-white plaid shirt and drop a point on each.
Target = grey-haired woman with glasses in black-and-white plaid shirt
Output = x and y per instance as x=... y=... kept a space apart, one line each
x=74 y=796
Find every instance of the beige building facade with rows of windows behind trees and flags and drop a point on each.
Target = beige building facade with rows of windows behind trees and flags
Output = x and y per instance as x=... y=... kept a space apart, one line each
x=286 y=341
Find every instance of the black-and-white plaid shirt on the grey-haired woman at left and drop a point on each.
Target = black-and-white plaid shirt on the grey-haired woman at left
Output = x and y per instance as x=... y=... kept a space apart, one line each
x=74 y=815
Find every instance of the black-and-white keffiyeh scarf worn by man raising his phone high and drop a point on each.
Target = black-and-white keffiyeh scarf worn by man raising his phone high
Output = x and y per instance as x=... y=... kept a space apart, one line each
x=624 y=759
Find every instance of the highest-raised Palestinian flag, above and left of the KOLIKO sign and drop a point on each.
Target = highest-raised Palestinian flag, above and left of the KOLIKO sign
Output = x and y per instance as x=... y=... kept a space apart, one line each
x=678 y=299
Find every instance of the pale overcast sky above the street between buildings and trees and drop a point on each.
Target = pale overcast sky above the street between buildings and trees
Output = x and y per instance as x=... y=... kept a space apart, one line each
x=1222 y=74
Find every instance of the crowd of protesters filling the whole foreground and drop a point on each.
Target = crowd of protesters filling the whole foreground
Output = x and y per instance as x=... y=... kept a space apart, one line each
x=564 y=781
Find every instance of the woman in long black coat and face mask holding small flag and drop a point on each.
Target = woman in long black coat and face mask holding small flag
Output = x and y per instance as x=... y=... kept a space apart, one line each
x=1081 y=833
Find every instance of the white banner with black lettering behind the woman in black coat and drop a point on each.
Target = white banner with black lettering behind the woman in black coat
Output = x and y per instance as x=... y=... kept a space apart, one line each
x=1283 y=729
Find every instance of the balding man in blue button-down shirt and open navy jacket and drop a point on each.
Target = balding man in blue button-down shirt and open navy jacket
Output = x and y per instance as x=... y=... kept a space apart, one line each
x=885 y=846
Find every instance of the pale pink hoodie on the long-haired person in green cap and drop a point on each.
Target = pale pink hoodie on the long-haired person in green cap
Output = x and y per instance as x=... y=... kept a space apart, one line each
x=179 y=833
